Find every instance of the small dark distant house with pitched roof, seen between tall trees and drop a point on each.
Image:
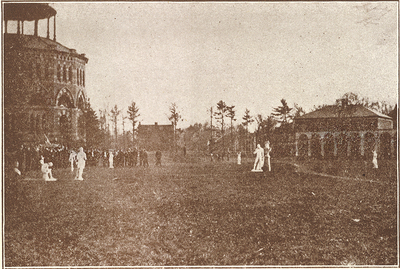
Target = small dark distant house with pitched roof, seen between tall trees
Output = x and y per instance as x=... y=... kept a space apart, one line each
x=156 y=136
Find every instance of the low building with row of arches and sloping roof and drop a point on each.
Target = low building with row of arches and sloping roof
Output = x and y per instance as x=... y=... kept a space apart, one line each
x=345 y=131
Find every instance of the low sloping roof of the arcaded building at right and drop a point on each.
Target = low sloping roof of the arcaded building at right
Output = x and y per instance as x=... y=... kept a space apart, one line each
x=349 y=111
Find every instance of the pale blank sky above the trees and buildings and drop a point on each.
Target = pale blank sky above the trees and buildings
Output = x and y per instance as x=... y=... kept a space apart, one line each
x=248 y=54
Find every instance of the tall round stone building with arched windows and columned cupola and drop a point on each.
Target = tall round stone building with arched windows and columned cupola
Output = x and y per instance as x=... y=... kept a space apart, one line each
x=44 y=81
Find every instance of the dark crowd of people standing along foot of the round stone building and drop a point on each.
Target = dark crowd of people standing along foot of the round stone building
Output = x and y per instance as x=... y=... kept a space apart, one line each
x=29 y=157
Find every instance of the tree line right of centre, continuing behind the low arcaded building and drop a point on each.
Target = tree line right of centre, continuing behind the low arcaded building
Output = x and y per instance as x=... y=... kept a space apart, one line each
x=277 y=127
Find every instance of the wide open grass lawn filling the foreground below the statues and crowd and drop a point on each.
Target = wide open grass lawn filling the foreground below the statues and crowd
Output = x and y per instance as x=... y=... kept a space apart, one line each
x=199 y=213
